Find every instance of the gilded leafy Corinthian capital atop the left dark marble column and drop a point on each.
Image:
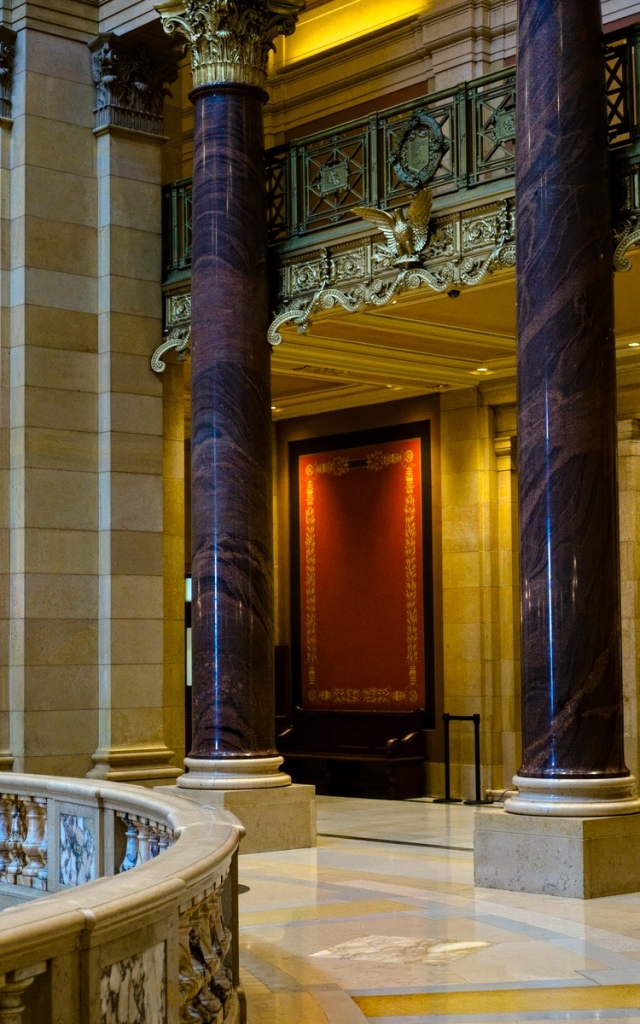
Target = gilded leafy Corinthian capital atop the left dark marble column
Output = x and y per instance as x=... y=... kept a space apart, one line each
x=230 y=40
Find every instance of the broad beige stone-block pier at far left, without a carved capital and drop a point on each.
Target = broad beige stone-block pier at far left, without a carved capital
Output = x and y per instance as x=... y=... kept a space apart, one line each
x=54 y=408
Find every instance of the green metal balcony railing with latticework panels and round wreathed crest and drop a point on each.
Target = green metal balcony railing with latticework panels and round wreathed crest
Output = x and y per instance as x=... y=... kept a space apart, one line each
x=467 y=134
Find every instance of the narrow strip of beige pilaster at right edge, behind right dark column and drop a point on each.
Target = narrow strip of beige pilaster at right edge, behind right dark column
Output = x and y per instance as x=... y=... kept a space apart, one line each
x=629 y=502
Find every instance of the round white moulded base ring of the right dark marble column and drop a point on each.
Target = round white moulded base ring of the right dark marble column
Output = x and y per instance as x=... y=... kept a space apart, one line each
x=585 y=798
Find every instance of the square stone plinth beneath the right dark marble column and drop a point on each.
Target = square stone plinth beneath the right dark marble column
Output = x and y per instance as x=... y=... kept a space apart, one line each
x=579 y=858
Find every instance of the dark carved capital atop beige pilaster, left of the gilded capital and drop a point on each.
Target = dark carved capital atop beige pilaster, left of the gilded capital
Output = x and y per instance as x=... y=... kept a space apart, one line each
x=131 y=86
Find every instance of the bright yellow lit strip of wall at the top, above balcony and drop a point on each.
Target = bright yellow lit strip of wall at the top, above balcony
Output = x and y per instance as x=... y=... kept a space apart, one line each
x=340 y=22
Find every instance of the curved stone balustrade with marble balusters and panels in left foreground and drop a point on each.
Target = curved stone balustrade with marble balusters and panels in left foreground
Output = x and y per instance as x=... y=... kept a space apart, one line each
x=151 y=938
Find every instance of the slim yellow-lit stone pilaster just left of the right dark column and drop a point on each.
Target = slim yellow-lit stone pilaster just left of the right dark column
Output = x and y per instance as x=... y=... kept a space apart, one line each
x=505 y=449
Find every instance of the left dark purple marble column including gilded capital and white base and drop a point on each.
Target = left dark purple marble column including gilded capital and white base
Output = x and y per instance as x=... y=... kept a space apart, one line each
x=232 y=530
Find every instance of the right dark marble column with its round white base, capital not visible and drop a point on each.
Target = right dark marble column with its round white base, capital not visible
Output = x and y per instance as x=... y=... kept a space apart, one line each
x=572 y=671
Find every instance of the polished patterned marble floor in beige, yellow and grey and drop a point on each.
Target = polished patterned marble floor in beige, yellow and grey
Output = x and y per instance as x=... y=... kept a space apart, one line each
x=382 y=924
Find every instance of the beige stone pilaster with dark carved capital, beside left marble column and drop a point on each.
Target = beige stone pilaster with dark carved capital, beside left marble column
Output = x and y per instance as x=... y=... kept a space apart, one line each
x=133 y=633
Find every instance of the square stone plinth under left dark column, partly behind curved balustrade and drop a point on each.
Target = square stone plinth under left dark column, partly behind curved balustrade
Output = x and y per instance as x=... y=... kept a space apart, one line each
x=276 y=820
